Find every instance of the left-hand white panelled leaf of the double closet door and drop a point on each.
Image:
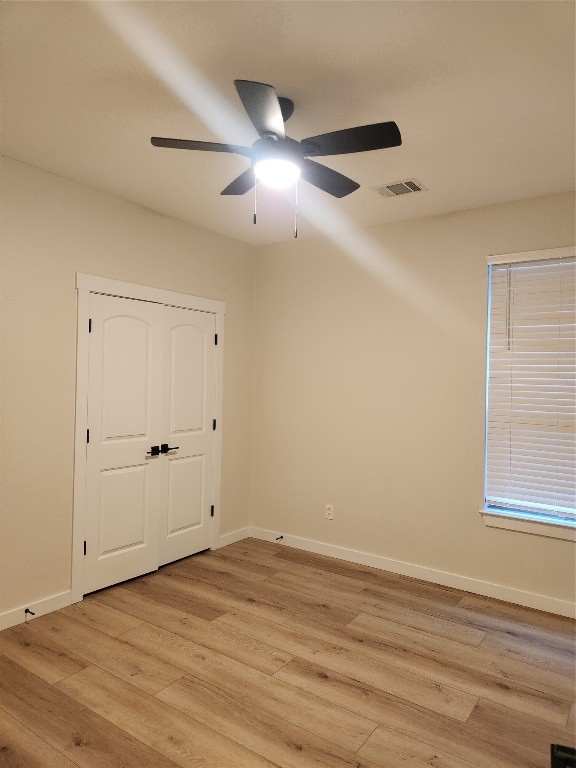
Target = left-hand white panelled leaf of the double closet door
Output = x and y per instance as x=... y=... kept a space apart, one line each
x=124 y=482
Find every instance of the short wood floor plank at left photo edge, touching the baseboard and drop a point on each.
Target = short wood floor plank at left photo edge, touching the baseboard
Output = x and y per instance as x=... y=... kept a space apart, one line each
x=38 y=654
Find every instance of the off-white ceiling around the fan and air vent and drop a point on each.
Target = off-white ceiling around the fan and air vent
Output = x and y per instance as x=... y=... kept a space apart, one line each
x=483 y=93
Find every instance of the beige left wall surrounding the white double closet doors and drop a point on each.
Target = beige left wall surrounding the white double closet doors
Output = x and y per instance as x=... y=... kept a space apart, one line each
x=52 y=229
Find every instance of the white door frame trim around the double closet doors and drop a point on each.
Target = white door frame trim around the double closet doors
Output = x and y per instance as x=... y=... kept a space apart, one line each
x=85 y=285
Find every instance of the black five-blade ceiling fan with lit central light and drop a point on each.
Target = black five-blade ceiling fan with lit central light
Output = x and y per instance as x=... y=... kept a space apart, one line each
x=275 y=152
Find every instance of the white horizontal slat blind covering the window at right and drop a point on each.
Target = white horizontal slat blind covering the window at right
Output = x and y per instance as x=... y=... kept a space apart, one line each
x=530 y=430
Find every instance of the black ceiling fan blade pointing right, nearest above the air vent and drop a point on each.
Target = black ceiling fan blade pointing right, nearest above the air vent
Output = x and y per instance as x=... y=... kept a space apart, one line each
x=363 y=138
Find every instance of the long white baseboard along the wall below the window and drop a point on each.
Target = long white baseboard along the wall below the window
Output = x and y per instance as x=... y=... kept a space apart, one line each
x=444 y=578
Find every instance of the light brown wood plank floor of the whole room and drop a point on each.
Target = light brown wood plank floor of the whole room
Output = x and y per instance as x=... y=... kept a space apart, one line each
x=258 y=655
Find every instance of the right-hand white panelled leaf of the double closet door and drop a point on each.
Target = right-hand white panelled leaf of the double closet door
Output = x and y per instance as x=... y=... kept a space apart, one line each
x=188 y=411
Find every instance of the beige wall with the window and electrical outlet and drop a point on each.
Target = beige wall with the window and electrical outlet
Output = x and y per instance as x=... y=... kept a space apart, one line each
x=369 y=393
